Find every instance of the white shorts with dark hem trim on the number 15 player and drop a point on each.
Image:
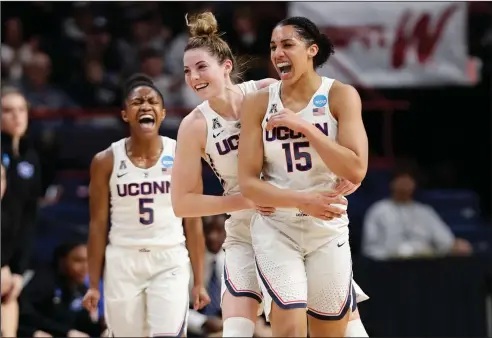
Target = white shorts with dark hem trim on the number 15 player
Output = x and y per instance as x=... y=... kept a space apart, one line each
x=304 y=265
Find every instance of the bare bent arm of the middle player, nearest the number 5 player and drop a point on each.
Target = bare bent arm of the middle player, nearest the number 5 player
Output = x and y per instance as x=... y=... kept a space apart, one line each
x=187 y=175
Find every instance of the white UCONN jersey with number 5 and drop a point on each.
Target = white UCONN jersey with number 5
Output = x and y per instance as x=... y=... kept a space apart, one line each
x=141 y=210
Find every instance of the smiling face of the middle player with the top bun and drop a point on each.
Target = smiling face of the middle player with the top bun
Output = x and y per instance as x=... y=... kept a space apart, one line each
x=204 y=74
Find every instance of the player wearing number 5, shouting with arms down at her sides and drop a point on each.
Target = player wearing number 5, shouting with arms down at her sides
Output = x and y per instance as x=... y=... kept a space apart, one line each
x=146 y=271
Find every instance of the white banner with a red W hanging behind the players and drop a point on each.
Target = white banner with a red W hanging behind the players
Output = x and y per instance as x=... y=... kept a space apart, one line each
x=393 y=44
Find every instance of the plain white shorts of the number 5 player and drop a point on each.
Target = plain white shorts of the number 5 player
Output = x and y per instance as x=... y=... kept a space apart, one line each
x=146 y=291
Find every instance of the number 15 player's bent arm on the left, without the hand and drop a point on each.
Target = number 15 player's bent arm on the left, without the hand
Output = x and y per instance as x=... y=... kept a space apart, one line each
x=251 y=158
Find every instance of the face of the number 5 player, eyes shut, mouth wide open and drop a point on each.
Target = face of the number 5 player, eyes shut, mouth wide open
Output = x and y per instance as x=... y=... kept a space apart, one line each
x=144 y=111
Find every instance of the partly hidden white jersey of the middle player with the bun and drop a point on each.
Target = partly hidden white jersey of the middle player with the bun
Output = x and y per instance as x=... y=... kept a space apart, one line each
x=222 y=145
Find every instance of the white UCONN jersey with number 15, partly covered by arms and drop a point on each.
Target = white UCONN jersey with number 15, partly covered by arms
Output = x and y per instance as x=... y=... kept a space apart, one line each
x=290 y=162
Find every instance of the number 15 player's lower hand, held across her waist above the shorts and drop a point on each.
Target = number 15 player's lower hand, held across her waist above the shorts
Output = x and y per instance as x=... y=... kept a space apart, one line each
x=319 y=205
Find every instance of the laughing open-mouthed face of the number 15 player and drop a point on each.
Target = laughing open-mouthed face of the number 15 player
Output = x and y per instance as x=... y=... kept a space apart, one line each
x=290 y=55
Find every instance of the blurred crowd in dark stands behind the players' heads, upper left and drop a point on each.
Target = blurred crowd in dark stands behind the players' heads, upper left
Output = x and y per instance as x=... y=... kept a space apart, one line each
x=76 y=55
